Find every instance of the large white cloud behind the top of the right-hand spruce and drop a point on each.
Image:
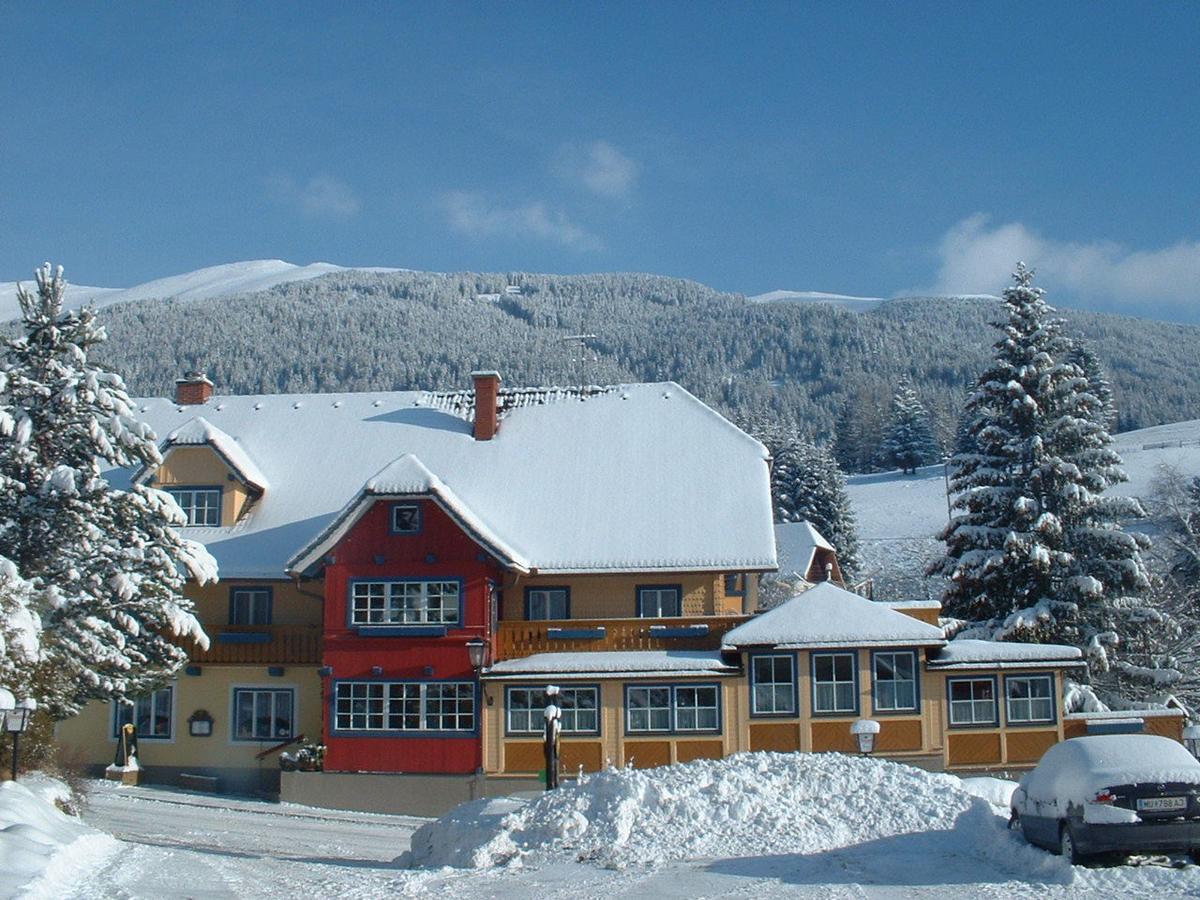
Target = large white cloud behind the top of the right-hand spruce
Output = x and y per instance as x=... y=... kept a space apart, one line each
x=977 y=257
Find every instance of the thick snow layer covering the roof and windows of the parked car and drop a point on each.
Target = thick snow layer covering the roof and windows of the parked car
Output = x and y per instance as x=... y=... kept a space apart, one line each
x=1077 y=769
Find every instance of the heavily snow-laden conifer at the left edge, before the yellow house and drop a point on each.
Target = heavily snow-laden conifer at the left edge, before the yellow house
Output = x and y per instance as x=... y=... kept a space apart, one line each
x=110 y=561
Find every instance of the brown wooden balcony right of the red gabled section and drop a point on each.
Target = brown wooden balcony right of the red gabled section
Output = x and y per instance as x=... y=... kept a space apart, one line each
x=518 y=639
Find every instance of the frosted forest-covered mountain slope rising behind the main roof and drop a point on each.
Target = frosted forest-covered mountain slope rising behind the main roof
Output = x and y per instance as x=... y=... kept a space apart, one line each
x=803 y=363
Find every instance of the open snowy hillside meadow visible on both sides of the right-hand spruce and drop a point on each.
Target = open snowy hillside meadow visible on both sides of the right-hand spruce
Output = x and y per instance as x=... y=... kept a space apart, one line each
x=899 y=517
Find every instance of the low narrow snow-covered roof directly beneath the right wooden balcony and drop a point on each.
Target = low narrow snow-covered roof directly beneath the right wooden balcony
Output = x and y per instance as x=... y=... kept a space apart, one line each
x=613 y=664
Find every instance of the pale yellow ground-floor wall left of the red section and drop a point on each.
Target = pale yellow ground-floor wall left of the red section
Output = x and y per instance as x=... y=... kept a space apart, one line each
x=89 y=736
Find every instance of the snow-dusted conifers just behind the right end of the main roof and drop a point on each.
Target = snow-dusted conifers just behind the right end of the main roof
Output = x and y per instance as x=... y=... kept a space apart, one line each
x=807 y=485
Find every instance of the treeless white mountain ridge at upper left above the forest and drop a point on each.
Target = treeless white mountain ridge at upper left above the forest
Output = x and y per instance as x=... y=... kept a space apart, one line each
x=213 y=281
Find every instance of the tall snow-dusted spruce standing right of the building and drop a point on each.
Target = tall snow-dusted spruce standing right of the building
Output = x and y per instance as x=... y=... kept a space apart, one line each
x=1036 y=551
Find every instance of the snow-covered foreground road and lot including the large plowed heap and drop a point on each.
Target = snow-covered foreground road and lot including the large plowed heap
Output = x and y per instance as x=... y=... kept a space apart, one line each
x=757 y=825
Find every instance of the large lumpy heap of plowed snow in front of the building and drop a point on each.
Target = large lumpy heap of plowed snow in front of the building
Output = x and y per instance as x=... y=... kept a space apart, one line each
x=749 y=805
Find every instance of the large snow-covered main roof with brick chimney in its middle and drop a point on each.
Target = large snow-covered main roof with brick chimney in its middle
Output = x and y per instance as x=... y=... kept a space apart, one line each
x=632 y=478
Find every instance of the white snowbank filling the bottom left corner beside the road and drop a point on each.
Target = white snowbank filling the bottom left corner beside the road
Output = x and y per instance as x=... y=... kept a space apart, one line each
x=34 y=836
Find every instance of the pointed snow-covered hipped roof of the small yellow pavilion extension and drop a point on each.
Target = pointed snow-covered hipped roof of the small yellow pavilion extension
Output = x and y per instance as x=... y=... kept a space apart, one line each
x=830 y=616
